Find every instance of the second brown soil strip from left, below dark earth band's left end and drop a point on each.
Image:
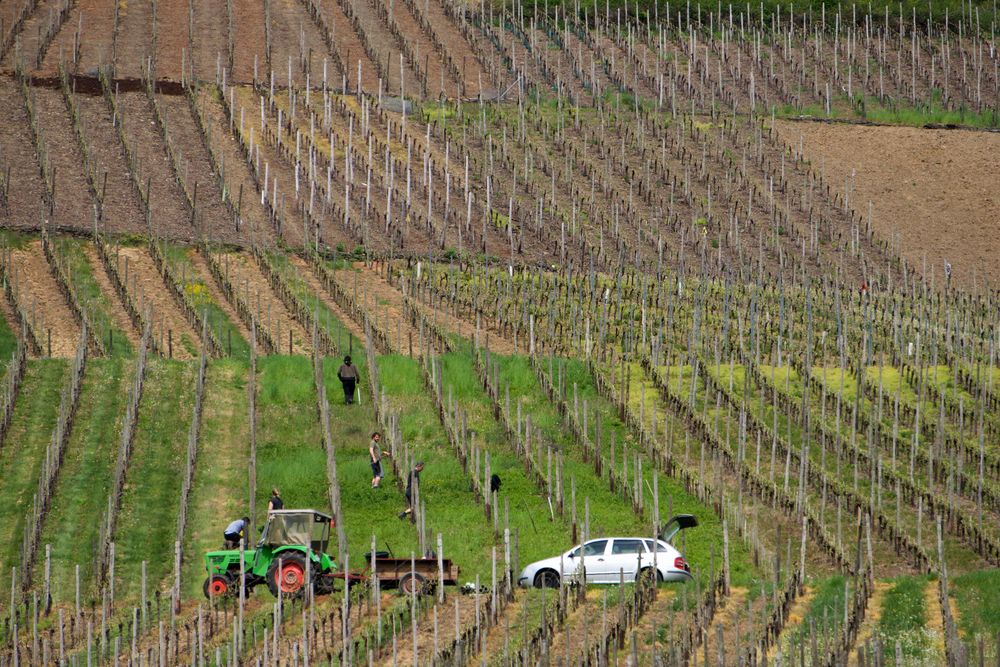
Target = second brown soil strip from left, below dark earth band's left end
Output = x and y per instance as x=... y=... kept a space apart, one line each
x=74 y=202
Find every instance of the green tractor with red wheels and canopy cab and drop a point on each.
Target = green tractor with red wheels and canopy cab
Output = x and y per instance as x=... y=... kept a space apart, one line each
x=291 y=548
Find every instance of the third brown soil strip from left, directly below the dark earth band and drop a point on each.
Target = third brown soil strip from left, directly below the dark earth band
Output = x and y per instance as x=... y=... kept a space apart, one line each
x=122 y=211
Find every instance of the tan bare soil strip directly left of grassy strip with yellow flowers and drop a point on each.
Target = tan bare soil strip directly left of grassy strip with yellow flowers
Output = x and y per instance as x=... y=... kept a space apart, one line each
x=149 y=291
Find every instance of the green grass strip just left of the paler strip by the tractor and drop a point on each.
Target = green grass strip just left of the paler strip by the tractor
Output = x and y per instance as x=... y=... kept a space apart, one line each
x=147 y=524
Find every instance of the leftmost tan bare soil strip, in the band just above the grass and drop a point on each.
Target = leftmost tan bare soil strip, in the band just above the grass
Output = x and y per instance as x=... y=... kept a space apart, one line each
x=43 y=302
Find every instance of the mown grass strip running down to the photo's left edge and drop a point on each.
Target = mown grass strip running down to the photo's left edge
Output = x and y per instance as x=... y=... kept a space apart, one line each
x=23 y=451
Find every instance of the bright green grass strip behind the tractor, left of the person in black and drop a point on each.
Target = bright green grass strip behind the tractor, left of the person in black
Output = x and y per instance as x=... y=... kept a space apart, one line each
x=289 y=441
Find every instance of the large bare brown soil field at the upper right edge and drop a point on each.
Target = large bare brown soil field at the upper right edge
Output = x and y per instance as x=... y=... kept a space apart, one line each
x=934 y=188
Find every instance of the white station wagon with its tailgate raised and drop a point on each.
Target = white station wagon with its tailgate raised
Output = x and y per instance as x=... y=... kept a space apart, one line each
x=605 y=560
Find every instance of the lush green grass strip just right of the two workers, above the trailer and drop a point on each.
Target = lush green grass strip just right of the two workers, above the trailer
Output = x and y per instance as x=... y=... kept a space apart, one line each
x=452 y=508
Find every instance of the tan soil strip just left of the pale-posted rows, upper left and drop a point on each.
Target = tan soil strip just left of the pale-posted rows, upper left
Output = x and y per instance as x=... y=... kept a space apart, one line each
x=256 y=226
